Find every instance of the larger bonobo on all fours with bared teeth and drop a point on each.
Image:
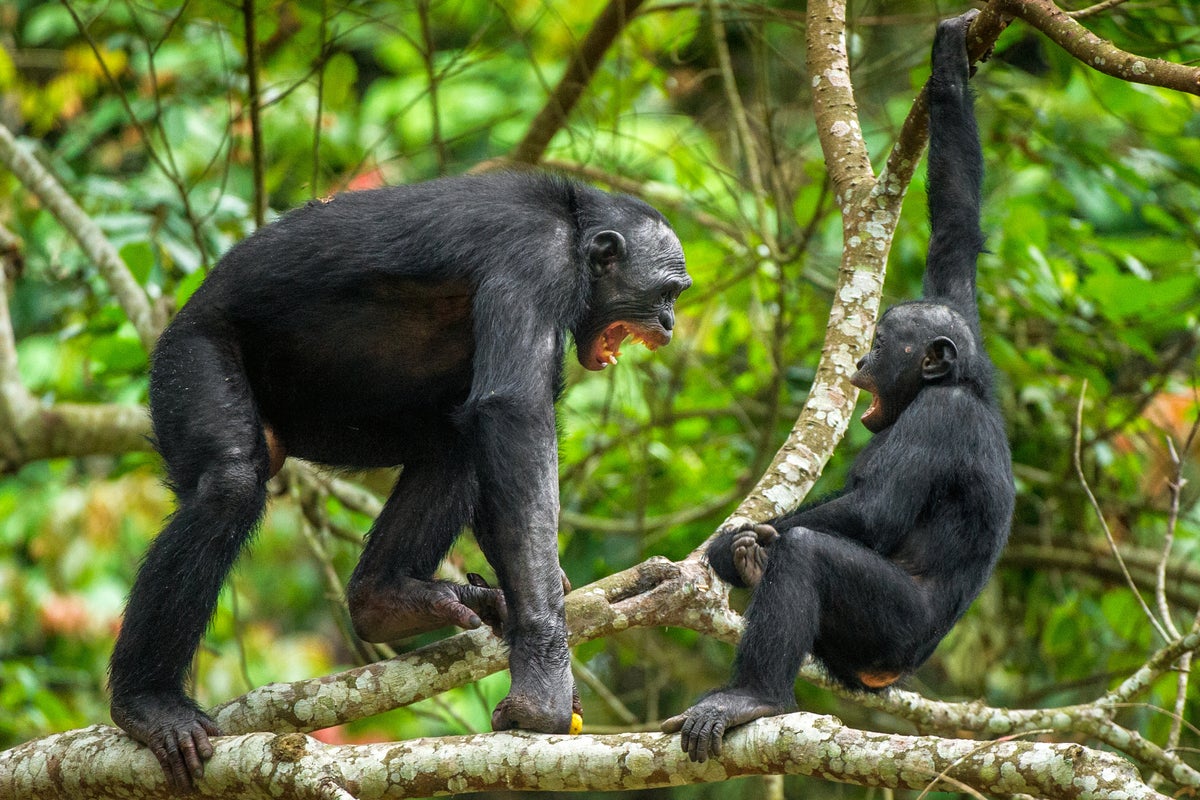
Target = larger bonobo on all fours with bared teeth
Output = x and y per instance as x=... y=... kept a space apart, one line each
x=422 y=326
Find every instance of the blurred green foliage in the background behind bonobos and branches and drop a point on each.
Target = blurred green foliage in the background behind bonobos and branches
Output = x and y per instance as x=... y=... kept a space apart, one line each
x=142 y=110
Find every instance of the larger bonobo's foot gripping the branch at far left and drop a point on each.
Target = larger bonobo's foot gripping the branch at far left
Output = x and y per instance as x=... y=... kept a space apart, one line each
x=175 y=731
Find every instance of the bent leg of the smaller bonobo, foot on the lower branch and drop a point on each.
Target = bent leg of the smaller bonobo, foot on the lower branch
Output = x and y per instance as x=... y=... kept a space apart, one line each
x=819 y=594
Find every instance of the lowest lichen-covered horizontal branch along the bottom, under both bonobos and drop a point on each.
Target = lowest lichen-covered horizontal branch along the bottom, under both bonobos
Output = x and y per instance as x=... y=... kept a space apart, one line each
x=100 y=762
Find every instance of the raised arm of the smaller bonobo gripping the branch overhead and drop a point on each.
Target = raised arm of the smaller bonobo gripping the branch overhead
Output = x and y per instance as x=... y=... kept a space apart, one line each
x=956 y=175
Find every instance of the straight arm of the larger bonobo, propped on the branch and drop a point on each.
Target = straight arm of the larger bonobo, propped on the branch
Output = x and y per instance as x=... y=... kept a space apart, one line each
x=509 y=418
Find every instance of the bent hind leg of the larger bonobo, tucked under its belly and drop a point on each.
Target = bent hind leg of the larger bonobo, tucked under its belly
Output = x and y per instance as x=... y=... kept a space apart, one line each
x=392 y=594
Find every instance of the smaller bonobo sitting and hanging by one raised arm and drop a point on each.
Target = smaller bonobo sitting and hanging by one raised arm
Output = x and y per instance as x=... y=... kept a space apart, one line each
x=872 y=580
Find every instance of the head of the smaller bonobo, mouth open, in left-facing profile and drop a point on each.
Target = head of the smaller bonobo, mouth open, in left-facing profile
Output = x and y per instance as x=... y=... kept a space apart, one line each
x=917 y=345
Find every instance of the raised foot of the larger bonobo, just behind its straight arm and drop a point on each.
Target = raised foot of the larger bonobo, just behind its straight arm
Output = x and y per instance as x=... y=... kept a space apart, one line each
x=418 y=606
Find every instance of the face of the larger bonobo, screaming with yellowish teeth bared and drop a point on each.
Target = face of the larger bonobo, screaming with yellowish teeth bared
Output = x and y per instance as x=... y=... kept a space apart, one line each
x=637 y=278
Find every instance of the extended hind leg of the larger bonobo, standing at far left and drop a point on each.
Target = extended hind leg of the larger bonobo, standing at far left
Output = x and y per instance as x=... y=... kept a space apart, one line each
x=213 y=443
